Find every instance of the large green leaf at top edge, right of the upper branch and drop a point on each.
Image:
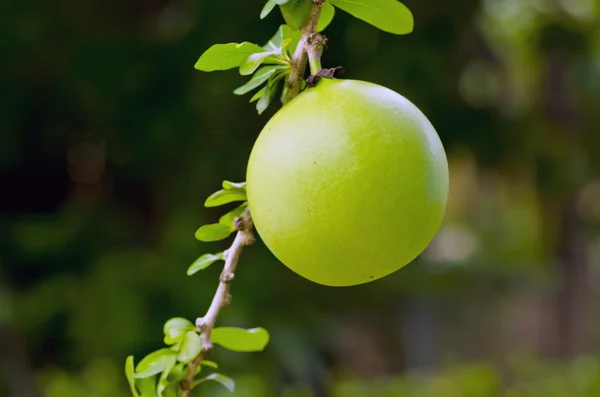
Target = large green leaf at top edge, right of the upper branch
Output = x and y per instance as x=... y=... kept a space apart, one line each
x=387 y=15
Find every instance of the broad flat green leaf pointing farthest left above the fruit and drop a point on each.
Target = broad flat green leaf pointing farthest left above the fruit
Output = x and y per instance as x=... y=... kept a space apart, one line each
x=226 y=56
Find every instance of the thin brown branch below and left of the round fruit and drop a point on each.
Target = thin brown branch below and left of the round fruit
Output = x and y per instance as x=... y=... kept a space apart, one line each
x=222 y=296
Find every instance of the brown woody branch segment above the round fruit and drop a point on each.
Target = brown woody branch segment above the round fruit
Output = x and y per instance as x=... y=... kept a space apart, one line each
x=300 y=57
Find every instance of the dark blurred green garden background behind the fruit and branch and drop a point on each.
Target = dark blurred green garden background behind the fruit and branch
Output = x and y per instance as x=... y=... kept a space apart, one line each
x=110 y=142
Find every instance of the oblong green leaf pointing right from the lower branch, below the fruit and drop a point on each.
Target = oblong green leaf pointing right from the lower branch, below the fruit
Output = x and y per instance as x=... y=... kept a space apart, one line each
x=239 y=339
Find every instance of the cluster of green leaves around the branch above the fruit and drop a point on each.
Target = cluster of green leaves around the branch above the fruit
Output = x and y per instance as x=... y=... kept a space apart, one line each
x=270 y=65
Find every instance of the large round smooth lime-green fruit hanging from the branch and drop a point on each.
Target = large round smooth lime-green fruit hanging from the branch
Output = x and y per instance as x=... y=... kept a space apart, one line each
x=347 y=183
